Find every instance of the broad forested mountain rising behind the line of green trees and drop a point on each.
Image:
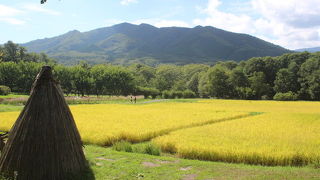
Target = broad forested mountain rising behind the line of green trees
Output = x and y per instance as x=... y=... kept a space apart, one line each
x=127 y=43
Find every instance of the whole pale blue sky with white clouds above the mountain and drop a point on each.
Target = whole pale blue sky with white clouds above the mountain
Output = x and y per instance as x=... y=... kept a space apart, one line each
x=292 y=24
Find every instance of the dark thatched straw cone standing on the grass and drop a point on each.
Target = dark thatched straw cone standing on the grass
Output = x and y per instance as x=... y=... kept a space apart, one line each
x=44 y=143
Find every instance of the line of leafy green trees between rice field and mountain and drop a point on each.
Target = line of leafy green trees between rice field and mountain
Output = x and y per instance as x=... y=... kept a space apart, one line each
x=294 y=76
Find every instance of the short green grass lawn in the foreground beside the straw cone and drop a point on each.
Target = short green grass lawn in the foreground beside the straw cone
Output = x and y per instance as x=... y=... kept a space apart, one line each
x=109 y=164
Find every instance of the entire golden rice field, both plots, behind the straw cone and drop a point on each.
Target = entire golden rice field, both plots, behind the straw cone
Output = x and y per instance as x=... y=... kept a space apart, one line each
x=254 y=132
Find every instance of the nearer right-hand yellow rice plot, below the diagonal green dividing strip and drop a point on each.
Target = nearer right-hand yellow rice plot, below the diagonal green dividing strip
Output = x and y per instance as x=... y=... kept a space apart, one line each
x=267 y=139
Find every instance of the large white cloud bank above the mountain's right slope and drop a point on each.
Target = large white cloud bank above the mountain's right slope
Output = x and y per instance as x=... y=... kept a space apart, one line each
x=291 y=23
